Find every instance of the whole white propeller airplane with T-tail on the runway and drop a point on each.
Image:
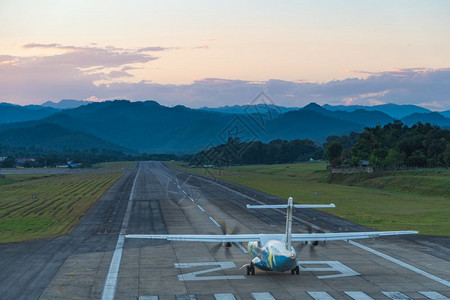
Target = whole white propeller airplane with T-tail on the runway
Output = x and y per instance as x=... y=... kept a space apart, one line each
x=274 y=252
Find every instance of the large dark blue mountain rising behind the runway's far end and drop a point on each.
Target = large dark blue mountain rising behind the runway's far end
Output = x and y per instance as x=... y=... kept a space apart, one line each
x=145 y=126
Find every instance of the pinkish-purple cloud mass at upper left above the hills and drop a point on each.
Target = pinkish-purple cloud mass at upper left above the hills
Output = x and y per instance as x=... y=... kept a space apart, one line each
x=70 y=73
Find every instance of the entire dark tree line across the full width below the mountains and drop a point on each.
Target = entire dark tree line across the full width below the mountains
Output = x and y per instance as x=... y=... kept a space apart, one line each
x=393 y=145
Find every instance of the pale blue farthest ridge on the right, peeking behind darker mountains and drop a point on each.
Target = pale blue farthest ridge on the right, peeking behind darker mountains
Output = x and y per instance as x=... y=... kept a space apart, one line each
x=394 y=110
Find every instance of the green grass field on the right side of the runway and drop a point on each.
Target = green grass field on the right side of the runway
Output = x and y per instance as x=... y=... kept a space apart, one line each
x=416 y=200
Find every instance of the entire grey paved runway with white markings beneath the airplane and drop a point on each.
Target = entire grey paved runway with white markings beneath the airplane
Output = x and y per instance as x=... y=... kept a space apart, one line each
x=95 y=260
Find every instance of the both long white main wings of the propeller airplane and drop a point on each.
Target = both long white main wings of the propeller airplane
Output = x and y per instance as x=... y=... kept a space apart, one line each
x=296 y=237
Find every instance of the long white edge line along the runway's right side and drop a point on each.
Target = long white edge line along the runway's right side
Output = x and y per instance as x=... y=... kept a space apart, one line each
x=373 y=251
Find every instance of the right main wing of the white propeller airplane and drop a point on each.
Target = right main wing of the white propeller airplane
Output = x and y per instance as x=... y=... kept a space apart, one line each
x=343 y=236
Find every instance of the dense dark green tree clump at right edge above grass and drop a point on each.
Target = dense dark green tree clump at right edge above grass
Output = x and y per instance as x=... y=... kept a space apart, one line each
x=393 y=145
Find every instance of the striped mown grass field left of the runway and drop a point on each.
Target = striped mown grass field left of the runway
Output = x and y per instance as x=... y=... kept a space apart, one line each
x=59 y=202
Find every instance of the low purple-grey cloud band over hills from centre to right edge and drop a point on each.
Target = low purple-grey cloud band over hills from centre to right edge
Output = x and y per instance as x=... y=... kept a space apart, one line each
x=408 y=86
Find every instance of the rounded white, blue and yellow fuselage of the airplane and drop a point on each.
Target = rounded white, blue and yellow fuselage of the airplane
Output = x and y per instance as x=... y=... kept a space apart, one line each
x=272 y=256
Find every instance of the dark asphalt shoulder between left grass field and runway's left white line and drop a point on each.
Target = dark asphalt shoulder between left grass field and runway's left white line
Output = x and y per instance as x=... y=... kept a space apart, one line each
x=27 y=268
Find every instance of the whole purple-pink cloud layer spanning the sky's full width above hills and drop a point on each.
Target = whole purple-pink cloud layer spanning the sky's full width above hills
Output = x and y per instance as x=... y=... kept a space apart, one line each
x=94 y=71
